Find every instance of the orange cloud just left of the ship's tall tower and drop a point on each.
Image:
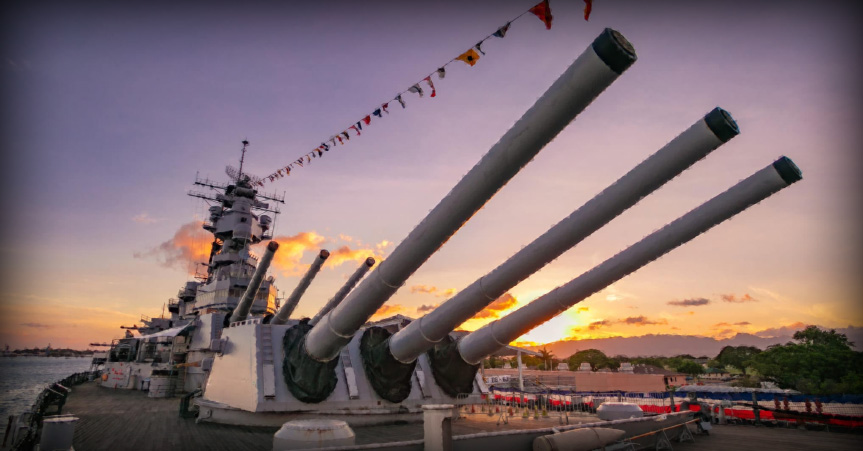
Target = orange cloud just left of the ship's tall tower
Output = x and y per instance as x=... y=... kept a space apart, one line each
x=190 y=245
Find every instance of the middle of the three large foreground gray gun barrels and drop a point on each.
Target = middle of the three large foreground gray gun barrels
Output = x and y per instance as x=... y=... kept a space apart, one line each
x=708 y=133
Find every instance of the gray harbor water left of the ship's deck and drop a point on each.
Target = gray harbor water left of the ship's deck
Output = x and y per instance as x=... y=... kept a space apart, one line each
x=23 y=378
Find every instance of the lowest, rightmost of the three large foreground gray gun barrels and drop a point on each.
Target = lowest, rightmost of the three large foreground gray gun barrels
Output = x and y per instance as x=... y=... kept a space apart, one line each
x=757 y=187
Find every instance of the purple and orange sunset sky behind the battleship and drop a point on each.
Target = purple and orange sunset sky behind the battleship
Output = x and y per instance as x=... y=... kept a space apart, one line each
x=111 y=109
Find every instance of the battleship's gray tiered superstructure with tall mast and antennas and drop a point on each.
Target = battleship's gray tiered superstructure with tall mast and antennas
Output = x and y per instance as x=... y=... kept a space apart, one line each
x=182 y=343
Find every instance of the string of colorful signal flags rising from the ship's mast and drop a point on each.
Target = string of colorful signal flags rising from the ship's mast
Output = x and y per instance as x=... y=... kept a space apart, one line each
x=541 y=10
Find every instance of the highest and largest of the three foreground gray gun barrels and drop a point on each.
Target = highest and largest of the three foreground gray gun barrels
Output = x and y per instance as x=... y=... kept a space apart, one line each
x=594 y=70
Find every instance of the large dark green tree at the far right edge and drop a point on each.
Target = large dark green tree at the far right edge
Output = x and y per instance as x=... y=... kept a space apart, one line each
x=818 y=362
